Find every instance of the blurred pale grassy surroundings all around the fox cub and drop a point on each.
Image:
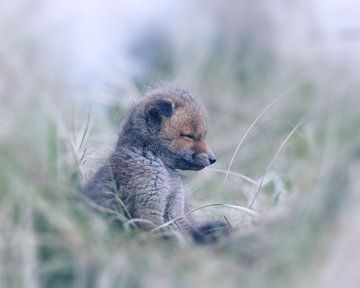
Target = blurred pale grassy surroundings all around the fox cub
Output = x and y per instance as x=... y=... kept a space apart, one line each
x=284 y=74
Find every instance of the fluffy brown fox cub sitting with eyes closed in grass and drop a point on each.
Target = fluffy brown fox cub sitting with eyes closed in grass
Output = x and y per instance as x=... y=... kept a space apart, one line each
x=162 y=133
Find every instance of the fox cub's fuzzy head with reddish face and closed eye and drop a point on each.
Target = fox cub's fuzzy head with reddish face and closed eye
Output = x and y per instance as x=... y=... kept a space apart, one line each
x=170 y=124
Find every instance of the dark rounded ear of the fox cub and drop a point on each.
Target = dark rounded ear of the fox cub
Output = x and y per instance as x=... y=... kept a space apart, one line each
x=156 y=111
